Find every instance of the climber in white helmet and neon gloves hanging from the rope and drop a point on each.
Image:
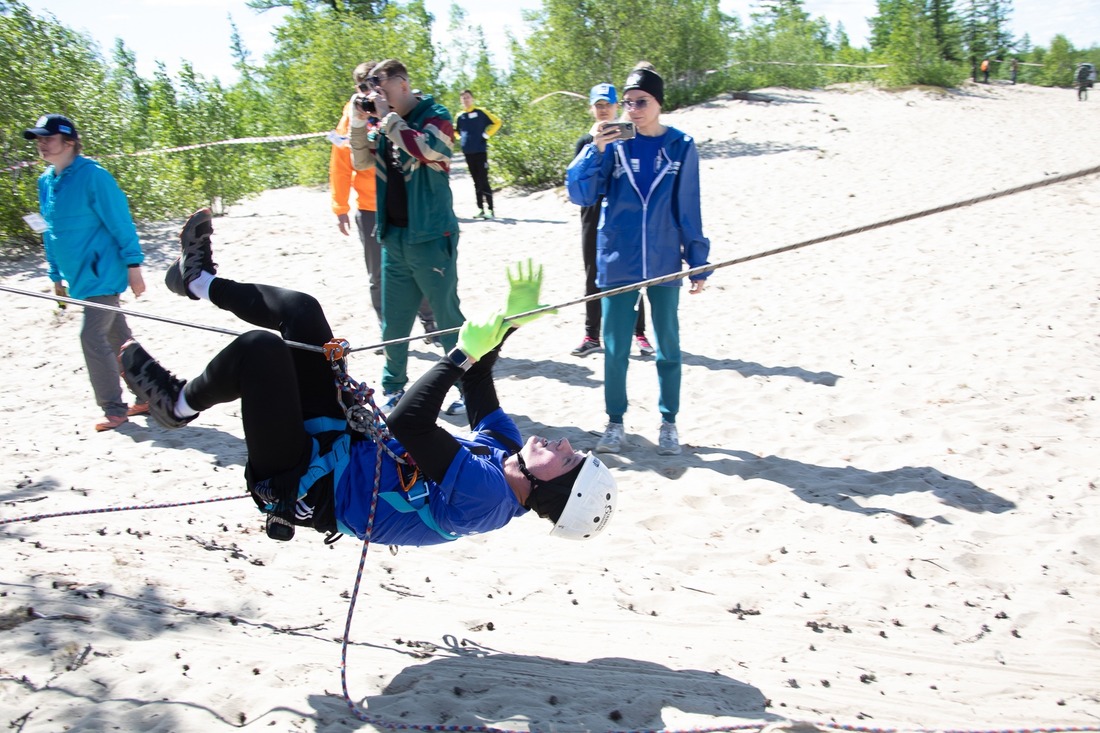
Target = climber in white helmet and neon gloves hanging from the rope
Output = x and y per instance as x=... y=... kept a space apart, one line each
x=307 y=468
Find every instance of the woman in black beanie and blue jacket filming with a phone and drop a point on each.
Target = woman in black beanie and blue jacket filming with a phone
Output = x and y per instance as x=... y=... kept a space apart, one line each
x=651 y=225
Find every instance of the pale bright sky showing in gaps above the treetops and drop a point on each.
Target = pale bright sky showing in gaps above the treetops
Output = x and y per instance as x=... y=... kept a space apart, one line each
x=199 y=30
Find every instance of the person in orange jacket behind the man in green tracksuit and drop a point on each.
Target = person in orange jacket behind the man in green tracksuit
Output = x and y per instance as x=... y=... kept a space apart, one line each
x=343 y=179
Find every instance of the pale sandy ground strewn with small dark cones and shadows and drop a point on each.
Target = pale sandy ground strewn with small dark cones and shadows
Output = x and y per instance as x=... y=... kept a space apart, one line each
x=887 y=513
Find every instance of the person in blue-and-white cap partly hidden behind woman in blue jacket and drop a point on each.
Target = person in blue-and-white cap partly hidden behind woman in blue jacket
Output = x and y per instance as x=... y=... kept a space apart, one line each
x=603 y=104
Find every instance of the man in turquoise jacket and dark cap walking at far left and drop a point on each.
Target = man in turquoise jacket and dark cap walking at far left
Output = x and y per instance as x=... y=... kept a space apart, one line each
x=92 y=245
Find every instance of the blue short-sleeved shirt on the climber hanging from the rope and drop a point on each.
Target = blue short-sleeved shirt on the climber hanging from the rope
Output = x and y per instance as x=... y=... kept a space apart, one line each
x=474 y=497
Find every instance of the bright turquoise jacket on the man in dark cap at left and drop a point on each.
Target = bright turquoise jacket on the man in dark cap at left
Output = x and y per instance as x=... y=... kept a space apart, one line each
x=92 y=238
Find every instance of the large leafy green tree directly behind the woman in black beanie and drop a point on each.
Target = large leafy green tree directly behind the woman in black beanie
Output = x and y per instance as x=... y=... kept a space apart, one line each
x=575 y=45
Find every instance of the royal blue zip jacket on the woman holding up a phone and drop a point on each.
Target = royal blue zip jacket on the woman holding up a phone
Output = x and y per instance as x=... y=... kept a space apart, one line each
x=643 y=237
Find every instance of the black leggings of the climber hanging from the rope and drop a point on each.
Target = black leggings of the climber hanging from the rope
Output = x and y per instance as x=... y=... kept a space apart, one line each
x=279 y=387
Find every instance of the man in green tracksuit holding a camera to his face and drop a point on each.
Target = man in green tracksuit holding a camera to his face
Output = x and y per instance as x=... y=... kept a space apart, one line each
x=411 y=152
